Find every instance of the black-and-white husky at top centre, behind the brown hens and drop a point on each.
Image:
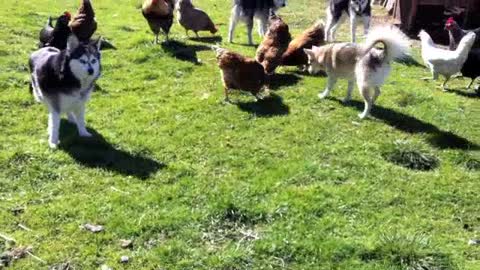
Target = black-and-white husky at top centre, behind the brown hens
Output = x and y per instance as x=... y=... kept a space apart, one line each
x=247 y=10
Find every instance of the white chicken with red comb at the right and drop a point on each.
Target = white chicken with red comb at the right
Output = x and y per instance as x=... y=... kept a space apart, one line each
x=445 y=62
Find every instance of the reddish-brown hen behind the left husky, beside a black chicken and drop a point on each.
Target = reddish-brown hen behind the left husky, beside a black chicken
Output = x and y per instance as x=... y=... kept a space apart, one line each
x=83 y=25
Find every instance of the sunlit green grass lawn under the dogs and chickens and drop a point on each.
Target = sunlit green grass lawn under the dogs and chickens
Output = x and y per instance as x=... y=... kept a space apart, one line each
x=293 y=182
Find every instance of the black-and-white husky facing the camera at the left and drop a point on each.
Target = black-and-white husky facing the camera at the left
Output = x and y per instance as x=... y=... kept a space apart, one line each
x=63 y=81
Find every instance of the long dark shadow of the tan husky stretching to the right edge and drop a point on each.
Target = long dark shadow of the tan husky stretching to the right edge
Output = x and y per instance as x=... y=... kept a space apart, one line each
x=438 y=138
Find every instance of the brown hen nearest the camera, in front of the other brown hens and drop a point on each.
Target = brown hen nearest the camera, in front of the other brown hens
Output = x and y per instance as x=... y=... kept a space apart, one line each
x=241 y=73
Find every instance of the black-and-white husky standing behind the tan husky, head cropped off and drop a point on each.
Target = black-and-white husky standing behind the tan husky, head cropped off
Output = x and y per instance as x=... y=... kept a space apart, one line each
x=354 y=9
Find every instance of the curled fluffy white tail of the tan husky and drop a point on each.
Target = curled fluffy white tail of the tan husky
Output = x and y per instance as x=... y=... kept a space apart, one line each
x=397 y=44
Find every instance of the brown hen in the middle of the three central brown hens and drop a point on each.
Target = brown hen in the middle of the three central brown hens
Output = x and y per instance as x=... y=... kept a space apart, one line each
x=274 y=44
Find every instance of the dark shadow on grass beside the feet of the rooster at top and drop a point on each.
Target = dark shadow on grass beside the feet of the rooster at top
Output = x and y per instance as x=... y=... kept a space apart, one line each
x=182 y=51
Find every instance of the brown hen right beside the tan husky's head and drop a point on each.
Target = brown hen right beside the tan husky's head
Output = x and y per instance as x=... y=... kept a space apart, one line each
x=313 y=36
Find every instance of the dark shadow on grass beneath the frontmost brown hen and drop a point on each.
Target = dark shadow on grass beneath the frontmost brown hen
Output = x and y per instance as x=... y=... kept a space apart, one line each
x=268 y=107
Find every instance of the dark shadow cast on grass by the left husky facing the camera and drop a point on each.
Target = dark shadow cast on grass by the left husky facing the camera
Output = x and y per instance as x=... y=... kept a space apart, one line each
x=96 y=152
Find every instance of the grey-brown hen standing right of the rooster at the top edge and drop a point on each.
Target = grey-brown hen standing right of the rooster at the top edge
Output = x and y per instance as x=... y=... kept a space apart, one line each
x=194 y=19
